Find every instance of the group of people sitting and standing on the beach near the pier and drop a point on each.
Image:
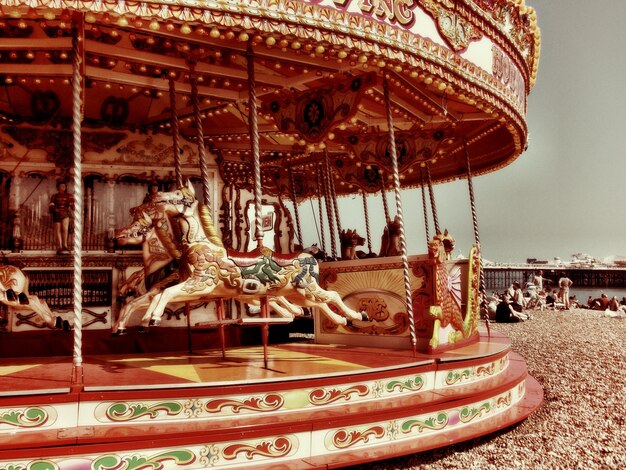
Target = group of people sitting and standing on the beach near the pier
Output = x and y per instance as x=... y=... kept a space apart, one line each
x=514 y=304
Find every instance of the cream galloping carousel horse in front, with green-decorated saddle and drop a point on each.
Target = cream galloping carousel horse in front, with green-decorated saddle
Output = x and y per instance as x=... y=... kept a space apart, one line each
x=210 y=271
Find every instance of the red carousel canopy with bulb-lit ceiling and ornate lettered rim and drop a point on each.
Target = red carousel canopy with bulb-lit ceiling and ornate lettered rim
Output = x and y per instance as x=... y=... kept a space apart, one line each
x=458 y=74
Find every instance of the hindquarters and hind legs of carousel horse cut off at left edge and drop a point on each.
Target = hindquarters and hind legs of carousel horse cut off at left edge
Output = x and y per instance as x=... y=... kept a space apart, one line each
x=14 y=293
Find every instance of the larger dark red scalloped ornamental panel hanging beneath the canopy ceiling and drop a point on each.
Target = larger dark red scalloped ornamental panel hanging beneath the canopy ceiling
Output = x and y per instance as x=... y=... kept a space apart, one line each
x=312 y=114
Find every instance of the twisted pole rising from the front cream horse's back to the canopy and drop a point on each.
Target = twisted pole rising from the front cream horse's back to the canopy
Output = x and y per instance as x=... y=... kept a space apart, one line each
x=254 y=142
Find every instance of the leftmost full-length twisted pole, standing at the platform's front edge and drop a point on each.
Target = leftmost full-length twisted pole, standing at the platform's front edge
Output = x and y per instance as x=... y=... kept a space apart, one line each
x=78 y=37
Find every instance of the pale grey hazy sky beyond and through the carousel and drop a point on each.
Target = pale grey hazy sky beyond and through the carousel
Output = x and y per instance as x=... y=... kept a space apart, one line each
x=566 y=193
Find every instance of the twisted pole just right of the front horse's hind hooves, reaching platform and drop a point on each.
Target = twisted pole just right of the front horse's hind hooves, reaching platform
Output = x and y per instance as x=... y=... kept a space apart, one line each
x=403 y=247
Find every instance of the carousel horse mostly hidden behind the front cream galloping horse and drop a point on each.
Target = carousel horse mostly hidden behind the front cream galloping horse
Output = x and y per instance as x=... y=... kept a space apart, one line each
x=160 y=259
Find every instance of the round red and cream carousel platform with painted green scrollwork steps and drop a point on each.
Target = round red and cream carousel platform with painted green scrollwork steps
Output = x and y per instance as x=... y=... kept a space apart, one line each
x=314 y=406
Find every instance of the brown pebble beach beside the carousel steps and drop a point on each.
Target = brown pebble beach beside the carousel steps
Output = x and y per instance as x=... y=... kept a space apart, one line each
x=579 y=358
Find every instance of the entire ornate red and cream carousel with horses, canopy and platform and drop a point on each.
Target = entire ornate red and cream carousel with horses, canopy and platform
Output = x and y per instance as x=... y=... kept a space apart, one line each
x=168 y=301
